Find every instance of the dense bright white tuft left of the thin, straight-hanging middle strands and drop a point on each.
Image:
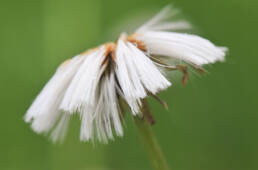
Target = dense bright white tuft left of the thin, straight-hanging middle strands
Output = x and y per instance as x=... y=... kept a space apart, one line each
x=83 y=86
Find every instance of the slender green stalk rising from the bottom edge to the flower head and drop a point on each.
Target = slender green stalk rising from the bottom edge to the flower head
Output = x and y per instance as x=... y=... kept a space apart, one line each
x=149 y=140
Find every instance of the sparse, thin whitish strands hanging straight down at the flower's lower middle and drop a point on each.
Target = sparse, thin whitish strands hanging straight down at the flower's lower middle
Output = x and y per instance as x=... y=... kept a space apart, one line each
x=106 y=113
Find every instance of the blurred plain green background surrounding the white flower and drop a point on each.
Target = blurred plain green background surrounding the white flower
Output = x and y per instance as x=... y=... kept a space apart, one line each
x=211 y=124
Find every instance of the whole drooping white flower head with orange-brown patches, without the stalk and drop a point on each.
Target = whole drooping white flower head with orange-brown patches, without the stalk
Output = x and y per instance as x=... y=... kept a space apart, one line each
x=94 y=83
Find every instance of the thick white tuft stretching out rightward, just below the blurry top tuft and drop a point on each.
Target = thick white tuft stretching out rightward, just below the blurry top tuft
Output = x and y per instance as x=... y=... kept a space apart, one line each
x=186 y=47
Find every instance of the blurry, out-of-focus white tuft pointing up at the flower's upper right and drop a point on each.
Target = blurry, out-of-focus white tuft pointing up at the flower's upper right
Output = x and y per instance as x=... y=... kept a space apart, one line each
x=160 y=22
